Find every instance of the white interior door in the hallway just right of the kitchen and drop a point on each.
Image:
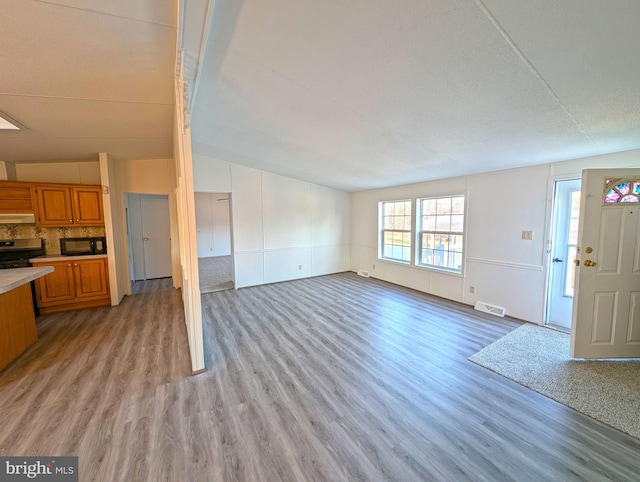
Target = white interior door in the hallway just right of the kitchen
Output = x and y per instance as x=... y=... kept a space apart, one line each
x=156 y=236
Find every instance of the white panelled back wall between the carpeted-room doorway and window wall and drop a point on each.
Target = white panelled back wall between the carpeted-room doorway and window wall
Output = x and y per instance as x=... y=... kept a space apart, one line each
x=283 y=228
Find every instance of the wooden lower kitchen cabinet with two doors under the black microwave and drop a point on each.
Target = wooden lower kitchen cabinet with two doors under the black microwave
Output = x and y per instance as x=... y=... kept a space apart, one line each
x=73 y=285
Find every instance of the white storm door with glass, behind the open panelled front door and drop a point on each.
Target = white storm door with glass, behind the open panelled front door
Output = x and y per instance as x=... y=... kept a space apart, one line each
x=563 y=252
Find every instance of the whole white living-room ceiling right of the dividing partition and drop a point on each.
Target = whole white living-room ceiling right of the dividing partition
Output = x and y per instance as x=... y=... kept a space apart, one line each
x=363 y=94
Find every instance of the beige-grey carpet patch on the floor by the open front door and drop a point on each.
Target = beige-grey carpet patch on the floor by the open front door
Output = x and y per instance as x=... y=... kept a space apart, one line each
x=538 y=358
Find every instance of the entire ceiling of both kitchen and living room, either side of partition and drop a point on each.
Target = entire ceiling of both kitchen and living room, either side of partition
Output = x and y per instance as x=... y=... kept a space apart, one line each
x=350 y=94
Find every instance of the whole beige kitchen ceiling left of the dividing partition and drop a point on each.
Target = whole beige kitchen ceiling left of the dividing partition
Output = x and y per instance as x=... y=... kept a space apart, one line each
x=87 y=76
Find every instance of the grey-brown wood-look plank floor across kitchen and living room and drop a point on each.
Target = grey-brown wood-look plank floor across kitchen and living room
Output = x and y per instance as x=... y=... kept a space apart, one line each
x=329 y=378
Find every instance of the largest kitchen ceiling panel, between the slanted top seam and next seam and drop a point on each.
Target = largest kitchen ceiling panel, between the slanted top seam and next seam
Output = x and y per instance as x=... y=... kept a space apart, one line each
x=67 y=52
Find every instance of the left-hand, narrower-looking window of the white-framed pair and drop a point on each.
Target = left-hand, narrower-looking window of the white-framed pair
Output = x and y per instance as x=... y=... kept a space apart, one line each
x=395 y=232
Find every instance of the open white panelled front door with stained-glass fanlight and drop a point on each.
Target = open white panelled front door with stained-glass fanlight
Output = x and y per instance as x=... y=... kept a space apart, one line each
x=606 y=311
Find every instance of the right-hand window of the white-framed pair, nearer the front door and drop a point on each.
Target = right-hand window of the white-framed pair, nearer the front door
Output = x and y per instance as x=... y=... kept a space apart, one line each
x=440 y=232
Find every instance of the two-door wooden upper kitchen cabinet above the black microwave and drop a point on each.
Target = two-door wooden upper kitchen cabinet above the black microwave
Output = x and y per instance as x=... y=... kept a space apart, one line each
x=69 y=205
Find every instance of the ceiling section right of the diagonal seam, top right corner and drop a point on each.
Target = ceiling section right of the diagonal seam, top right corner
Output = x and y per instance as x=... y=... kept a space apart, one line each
x=586 y=52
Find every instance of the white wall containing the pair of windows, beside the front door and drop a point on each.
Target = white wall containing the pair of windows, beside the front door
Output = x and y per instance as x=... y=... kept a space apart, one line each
x=504 y=269
